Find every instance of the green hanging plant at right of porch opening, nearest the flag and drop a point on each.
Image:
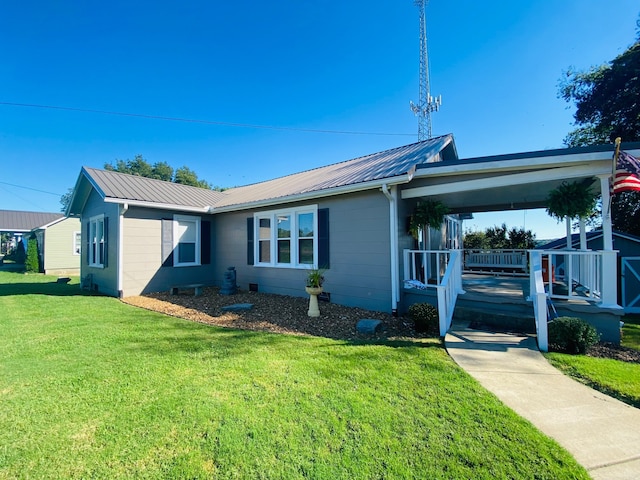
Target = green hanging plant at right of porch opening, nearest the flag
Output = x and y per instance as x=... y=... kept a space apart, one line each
x=573 y=200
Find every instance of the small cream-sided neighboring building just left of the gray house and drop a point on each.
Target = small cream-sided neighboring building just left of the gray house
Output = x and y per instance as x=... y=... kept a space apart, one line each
x=59 y=246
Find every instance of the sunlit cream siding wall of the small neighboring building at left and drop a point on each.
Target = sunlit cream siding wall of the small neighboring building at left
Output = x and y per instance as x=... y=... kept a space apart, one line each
x=58 y=253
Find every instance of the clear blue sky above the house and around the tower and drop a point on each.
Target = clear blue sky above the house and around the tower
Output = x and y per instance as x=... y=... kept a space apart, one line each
x=313 y=65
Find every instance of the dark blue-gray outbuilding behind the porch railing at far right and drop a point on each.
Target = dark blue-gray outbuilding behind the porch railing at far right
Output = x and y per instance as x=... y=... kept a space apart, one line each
x=628 y=250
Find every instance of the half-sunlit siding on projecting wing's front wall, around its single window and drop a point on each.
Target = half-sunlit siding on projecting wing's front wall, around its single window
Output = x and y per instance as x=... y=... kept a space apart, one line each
x=142 y=257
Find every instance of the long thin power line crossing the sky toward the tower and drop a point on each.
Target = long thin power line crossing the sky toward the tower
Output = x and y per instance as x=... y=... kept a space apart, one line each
x=192 y=120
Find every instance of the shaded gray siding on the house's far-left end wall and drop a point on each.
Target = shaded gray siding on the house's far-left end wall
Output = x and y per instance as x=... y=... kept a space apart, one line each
x=104 y=280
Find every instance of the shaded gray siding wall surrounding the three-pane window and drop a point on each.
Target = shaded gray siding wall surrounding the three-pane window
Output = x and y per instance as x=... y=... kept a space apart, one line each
x=359 y=273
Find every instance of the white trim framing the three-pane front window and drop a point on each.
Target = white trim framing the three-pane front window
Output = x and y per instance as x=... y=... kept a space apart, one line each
x=272 y=215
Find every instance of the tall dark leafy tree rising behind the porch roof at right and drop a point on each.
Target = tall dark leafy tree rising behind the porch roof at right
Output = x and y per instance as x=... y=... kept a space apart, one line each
x=607 y=100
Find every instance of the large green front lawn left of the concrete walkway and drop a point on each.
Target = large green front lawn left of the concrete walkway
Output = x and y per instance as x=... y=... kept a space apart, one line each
x=93 y=388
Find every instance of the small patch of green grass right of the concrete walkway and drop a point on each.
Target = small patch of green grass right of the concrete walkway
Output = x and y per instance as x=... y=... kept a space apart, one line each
x=613 y=377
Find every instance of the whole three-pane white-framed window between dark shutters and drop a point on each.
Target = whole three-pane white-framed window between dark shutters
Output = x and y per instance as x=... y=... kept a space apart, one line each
x=286 y=238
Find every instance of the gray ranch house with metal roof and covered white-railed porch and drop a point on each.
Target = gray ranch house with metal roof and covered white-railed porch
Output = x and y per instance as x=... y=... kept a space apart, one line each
x=142 y=235
